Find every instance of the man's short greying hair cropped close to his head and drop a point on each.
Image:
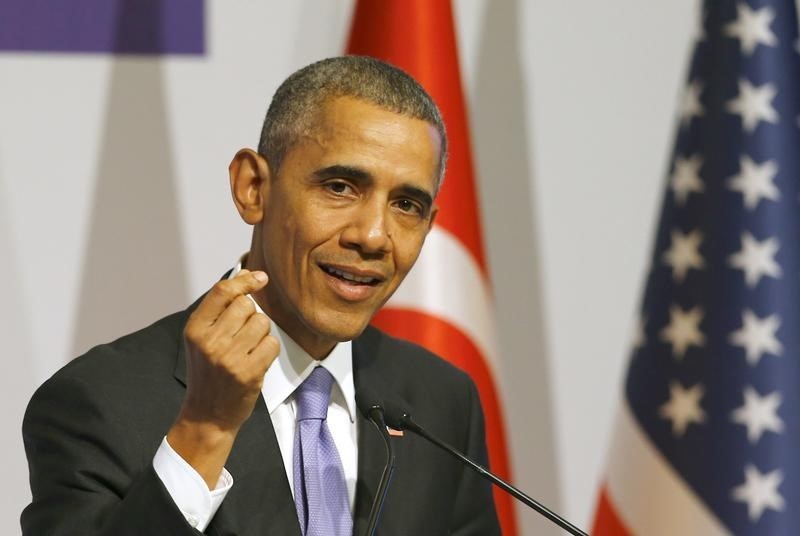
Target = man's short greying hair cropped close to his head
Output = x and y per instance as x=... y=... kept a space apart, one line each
x=300 y=98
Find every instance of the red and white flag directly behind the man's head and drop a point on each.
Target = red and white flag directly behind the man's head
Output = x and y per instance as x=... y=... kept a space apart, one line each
x=445 y=303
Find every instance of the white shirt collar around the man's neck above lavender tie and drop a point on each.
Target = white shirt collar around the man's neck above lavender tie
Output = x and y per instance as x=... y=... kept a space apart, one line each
x=293 y=365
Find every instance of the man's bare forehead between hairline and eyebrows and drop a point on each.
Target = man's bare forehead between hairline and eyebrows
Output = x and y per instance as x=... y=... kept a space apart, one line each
x=354 y=132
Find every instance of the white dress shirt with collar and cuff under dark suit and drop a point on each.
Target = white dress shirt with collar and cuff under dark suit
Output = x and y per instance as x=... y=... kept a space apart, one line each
x=293 y=365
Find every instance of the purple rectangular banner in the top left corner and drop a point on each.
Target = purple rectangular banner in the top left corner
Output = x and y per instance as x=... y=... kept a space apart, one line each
x=115 y=26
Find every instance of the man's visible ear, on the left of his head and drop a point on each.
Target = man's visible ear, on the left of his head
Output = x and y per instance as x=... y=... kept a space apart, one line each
x=249 y=177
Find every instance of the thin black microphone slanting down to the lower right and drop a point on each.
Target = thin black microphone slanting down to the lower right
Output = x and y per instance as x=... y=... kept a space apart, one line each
x=399 y=419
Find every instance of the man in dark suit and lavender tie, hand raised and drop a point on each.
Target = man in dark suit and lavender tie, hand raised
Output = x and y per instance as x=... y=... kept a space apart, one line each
x=201 y=422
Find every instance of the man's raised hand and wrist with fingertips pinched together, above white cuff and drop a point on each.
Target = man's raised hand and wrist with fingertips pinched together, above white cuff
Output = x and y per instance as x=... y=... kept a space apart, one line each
x=228 y=351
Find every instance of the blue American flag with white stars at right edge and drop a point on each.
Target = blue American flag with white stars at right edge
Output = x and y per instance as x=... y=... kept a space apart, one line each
x=708 y=441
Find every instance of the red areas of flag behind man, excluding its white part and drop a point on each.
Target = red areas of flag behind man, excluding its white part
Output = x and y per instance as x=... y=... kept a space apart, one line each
x=419 y=37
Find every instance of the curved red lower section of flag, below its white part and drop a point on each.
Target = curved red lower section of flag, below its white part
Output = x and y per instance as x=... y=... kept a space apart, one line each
x=445 y=340
